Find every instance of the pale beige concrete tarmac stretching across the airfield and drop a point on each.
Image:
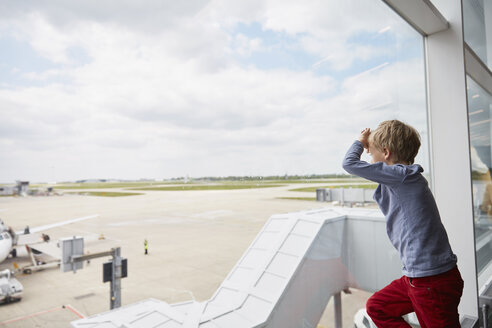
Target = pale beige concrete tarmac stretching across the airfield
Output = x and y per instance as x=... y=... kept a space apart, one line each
x=194 y=238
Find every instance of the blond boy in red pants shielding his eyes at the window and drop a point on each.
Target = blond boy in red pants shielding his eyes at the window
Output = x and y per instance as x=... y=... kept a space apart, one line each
x=432 y=285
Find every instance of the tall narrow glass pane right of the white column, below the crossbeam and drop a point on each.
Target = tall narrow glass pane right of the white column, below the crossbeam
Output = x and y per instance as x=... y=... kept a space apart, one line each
x=479 y=115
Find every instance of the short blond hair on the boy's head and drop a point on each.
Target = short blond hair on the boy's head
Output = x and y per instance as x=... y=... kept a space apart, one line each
x=402 y=140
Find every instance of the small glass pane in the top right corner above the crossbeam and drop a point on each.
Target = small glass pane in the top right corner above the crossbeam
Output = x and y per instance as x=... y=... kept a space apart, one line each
x=477 y=16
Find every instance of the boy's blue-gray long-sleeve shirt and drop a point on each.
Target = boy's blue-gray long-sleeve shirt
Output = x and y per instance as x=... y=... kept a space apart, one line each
x=413 y=223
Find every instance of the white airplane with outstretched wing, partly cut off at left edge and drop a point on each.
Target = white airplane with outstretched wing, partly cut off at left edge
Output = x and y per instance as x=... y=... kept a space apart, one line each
x=30 y=238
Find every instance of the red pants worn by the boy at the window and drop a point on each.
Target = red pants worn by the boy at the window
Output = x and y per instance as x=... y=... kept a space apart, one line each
x=434 y=299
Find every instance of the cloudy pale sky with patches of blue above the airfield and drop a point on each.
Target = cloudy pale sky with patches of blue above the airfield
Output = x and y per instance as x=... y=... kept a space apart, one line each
x=158 y=89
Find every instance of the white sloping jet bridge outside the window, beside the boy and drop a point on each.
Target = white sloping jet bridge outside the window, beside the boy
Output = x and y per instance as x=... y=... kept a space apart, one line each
x=284 y=279
